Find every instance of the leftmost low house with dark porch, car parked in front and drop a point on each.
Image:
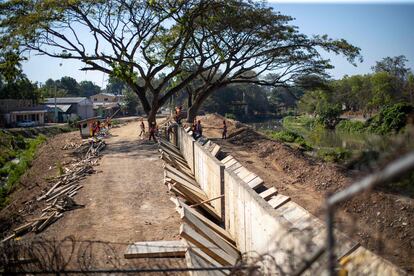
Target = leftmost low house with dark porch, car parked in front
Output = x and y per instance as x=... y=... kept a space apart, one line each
x=14 y=111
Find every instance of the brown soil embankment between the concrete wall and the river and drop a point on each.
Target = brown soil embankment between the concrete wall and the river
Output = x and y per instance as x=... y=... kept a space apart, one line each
x=380 y=221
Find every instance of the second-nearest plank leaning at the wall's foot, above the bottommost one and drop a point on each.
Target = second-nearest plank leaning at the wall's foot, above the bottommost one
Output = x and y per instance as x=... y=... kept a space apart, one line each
x=205 y=245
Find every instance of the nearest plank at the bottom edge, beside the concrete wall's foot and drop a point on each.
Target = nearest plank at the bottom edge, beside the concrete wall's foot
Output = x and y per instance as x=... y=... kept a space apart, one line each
x=194 y=260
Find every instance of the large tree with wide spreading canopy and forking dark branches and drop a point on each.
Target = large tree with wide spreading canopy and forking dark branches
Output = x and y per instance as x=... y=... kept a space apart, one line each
x=139 y=41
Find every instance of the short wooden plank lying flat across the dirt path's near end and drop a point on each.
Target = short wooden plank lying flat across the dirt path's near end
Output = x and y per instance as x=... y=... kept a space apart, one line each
x=156 y=249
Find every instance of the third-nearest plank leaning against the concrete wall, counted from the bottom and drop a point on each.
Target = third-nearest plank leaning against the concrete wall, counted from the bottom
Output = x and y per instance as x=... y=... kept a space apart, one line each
x=207 y=232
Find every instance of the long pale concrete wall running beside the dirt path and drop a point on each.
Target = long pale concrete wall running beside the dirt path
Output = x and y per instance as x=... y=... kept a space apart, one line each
x=286 y=236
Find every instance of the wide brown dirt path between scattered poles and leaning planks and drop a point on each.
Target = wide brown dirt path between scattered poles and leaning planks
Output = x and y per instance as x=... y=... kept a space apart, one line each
x=125 y=201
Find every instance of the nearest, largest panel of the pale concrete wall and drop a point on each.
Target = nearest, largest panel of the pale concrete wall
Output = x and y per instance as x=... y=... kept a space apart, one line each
x=259 y=229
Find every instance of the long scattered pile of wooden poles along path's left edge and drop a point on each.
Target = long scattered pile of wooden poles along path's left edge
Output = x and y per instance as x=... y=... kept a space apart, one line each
x=59 y=198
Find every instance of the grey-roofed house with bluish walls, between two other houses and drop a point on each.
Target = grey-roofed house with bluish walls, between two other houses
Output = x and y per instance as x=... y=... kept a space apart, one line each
x=68 y=108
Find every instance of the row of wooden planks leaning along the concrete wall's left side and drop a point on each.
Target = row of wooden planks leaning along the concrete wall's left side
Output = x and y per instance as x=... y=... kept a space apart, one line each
x=207 y=244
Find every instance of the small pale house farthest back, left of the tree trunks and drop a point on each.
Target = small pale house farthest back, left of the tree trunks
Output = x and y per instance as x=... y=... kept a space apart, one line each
x=105 y=104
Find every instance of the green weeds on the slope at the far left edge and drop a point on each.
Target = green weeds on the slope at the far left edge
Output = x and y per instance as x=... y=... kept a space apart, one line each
x=12 y=171
